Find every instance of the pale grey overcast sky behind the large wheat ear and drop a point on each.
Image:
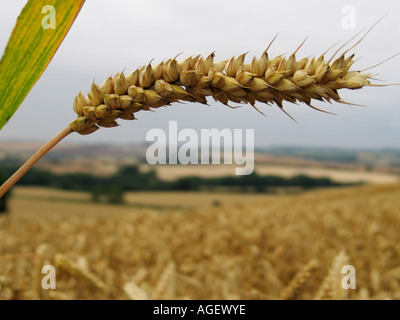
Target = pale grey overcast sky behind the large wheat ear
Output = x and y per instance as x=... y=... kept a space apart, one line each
x=109 y=36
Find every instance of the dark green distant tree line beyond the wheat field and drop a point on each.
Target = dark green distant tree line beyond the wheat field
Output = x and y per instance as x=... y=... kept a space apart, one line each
x=131 y=178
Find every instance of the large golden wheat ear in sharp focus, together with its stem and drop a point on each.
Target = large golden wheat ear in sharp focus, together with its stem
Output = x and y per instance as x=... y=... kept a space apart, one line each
x=264 y=80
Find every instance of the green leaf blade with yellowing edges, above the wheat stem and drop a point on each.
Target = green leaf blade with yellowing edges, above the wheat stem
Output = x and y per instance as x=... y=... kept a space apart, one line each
x=40 y=29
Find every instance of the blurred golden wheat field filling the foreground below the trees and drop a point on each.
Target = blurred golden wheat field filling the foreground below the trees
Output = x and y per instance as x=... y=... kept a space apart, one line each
x=282 y=247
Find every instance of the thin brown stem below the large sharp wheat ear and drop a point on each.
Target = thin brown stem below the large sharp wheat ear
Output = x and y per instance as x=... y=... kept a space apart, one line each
x=35 y=158
